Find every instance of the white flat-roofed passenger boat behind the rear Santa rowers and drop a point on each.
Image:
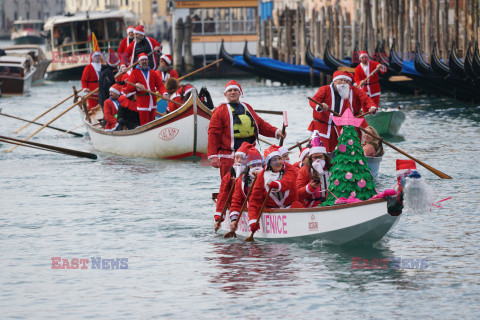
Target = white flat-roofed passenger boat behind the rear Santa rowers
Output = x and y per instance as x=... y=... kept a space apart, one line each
x=68 y=39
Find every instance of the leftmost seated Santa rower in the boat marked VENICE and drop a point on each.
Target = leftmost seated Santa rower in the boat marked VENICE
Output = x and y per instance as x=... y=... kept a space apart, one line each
x=235 y=171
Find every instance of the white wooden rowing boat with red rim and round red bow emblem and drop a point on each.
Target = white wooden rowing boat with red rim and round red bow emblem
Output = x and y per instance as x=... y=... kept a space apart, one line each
x=178 y=135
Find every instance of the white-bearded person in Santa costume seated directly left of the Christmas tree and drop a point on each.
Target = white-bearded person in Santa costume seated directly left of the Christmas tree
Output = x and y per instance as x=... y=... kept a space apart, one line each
x=312 y=180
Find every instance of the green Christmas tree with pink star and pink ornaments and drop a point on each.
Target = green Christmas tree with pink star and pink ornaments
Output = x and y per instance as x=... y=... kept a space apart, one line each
x=350 y=174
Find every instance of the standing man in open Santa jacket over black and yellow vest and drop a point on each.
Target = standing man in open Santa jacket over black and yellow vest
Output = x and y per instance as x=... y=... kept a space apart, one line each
x=233 y=123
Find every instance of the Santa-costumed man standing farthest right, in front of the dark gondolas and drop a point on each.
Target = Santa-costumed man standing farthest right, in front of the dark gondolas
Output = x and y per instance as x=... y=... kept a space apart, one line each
x=371 y=86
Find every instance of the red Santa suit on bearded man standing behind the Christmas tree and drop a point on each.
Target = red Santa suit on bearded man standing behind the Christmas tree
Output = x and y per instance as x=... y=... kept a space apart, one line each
x=358 y=102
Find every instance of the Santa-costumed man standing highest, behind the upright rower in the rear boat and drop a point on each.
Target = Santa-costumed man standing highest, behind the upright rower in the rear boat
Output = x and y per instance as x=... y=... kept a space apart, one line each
x=142 y=44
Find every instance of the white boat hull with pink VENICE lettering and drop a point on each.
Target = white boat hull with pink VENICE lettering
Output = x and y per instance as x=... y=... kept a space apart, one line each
x=362 y=223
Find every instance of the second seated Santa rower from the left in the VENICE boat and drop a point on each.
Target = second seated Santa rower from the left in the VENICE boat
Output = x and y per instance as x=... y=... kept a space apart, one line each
x=244 y=183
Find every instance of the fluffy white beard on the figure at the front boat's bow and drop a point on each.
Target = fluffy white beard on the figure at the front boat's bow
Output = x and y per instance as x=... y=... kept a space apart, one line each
x=418 y=195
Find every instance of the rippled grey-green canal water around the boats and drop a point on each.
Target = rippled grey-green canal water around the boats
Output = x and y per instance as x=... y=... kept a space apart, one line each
x=158 y=214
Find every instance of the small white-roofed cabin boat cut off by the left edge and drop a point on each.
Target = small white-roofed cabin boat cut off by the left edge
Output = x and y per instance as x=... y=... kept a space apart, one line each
x=16 y=73
